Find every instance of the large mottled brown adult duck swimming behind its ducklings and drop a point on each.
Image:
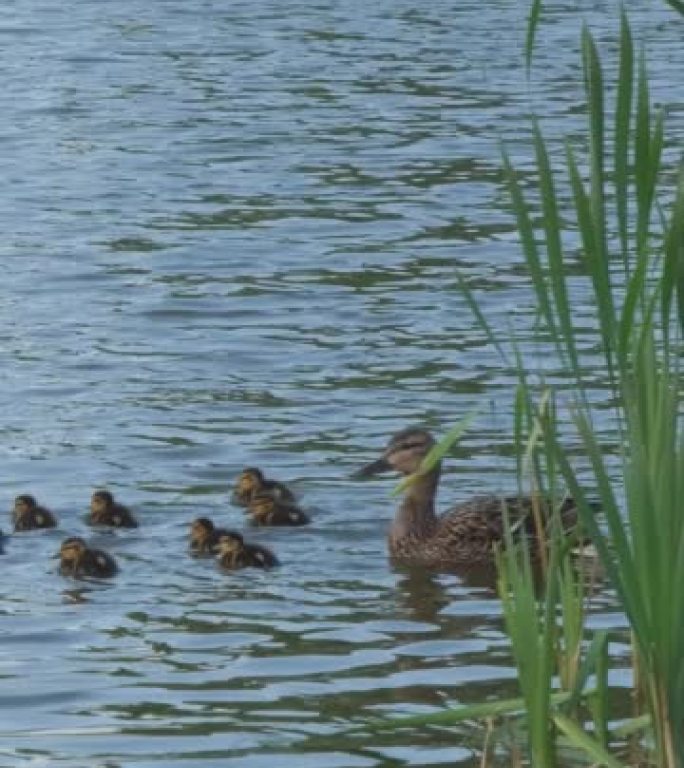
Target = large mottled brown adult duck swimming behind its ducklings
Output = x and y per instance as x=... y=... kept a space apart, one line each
x=468 y=533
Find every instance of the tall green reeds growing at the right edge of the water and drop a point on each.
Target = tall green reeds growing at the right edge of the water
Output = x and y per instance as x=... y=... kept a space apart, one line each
x=627 y=208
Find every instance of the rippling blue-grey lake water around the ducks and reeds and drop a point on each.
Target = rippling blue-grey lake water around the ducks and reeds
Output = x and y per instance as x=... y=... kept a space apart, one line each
x=231 y=234
